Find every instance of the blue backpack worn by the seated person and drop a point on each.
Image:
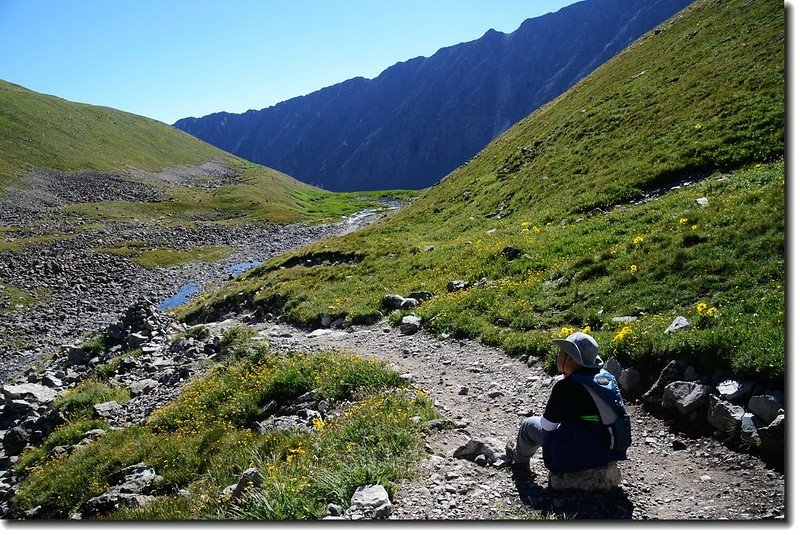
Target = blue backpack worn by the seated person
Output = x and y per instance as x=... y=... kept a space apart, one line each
x=605 y=393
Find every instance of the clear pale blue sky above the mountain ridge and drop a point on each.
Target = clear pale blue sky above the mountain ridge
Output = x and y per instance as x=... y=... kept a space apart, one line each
x=168 y=59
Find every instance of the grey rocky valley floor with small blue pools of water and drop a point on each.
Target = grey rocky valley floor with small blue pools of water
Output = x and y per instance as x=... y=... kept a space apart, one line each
x=58 y=286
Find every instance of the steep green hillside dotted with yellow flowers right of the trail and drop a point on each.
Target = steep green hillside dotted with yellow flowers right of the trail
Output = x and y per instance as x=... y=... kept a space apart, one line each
x=654 y=188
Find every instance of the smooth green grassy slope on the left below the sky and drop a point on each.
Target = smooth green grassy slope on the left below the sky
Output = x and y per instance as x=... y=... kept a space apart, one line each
x=43 y=131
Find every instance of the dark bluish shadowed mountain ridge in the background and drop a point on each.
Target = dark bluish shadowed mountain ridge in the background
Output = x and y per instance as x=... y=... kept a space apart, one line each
x=421 y=118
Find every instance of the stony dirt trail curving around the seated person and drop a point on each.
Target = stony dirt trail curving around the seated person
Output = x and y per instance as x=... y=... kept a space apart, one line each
x=669 y=476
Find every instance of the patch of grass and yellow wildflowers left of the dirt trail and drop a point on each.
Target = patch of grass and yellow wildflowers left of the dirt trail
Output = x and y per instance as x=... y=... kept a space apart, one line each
x=202 y=442
